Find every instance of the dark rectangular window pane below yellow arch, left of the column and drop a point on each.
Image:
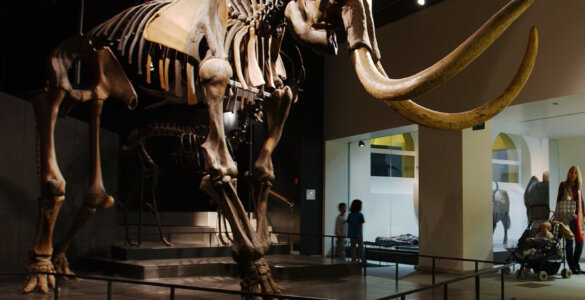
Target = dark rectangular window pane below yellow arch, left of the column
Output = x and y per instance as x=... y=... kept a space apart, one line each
x=392 y=165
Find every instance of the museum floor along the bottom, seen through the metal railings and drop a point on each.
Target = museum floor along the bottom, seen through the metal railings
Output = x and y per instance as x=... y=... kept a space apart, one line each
x=378 y=283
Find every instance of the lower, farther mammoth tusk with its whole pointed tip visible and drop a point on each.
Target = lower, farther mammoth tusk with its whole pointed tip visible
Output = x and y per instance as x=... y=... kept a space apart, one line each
x=454 y=121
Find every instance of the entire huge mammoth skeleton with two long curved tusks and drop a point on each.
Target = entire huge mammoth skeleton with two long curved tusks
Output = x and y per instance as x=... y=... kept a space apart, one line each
x=190 y=51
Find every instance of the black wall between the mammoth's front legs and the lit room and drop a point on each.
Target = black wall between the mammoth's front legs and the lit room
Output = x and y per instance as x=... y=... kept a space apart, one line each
x=298 y=159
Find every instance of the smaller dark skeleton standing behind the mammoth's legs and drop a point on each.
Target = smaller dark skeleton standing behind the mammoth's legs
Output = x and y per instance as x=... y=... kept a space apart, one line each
x=186 y=153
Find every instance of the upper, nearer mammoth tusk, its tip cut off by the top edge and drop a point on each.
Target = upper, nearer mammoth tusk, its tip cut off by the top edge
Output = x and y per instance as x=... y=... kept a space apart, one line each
x=385 y=88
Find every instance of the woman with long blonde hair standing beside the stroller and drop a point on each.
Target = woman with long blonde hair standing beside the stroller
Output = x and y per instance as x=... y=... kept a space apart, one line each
x=570 y=212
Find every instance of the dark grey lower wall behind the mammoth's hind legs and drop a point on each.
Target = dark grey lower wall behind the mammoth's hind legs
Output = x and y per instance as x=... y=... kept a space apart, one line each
x=19 y=187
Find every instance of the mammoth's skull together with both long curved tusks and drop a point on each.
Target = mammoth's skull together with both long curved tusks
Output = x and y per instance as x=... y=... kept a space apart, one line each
x=313 y=23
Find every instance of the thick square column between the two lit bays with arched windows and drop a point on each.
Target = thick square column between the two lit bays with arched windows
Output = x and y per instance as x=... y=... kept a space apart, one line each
x=455 y=202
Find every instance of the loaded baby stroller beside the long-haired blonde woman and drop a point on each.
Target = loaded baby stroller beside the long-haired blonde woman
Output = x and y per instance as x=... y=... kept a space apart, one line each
x=539 y=250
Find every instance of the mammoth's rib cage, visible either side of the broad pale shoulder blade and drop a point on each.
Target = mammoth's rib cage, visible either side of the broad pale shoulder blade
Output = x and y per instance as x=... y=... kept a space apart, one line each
x=123 y=33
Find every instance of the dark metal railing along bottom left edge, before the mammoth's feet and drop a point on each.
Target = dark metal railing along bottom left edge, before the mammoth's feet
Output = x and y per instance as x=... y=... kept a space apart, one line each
x=172 y=287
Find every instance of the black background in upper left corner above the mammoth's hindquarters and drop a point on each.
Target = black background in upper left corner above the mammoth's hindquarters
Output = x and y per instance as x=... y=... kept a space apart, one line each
x=30 y=29
